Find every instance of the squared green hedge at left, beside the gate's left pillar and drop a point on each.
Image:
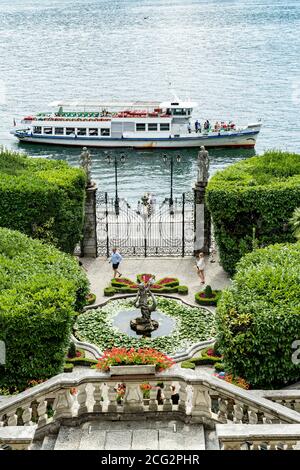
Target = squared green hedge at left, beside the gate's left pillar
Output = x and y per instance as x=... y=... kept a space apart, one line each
x=42 y=198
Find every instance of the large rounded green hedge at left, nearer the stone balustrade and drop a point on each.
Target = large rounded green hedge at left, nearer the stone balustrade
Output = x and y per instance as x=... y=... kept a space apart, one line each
x=40 y=290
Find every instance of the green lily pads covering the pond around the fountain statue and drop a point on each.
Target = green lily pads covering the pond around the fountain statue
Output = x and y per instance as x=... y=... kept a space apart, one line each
x=193 y=324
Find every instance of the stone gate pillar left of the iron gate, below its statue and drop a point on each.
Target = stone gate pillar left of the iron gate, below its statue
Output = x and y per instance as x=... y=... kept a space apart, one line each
x=89 y=242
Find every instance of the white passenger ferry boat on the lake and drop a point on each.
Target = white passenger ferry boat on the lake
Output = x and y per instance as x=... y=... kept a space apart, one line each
x=139 y=124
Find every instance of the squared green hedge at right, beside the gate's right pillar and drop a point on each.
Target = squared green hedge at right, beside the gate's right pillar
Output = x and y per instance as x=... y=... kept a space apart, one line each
x=251 y=203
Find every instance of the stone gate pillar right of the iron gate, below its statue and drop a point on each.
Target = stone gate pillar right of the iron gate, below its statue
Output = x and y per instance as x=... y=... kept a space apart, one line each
x=202 y=220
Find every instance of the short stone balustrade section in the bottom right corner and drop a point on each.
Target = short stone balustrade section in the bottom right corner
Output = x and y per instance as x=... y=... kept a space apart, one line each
x=258 y=437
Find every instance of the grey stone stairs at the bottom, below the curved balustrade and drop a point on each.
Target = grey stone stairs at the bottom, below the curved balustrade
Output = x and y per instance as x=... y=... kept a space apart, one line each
x=133 y=435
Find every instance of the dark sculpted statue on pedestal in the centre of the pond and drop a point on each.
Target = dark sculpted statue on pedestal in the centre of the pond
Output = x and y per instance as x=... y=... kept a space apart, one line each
x=144 y=325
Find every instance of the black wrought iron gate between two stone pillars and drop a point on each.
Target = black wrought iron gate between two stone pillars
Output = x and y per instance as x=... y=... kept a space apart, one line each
x=146 y=230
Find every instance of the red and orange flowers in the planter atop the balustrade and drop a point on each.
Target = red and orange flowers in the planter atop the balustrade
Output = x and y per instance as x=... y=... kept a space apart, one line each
x=124 y=356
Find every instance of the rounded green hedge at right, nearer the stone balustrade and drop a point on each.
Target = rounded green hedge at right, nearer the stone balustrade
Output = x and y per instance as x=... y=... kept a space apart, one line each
x=258 y=317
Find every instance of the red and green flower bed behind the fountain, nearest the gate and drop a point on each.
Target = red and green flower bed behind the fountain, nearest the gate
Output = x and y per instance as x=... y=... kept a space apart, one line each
x=123 y=285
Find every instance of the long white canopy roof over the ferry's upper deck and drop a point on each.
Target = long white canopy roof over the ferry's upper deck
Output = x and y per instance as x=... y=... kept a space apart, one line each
x=125 y=104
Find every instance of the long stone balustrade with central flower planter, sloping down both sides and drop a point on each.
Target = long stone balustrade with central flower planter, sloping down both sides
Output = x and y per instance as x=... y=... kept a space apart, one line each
x=202 y=399
